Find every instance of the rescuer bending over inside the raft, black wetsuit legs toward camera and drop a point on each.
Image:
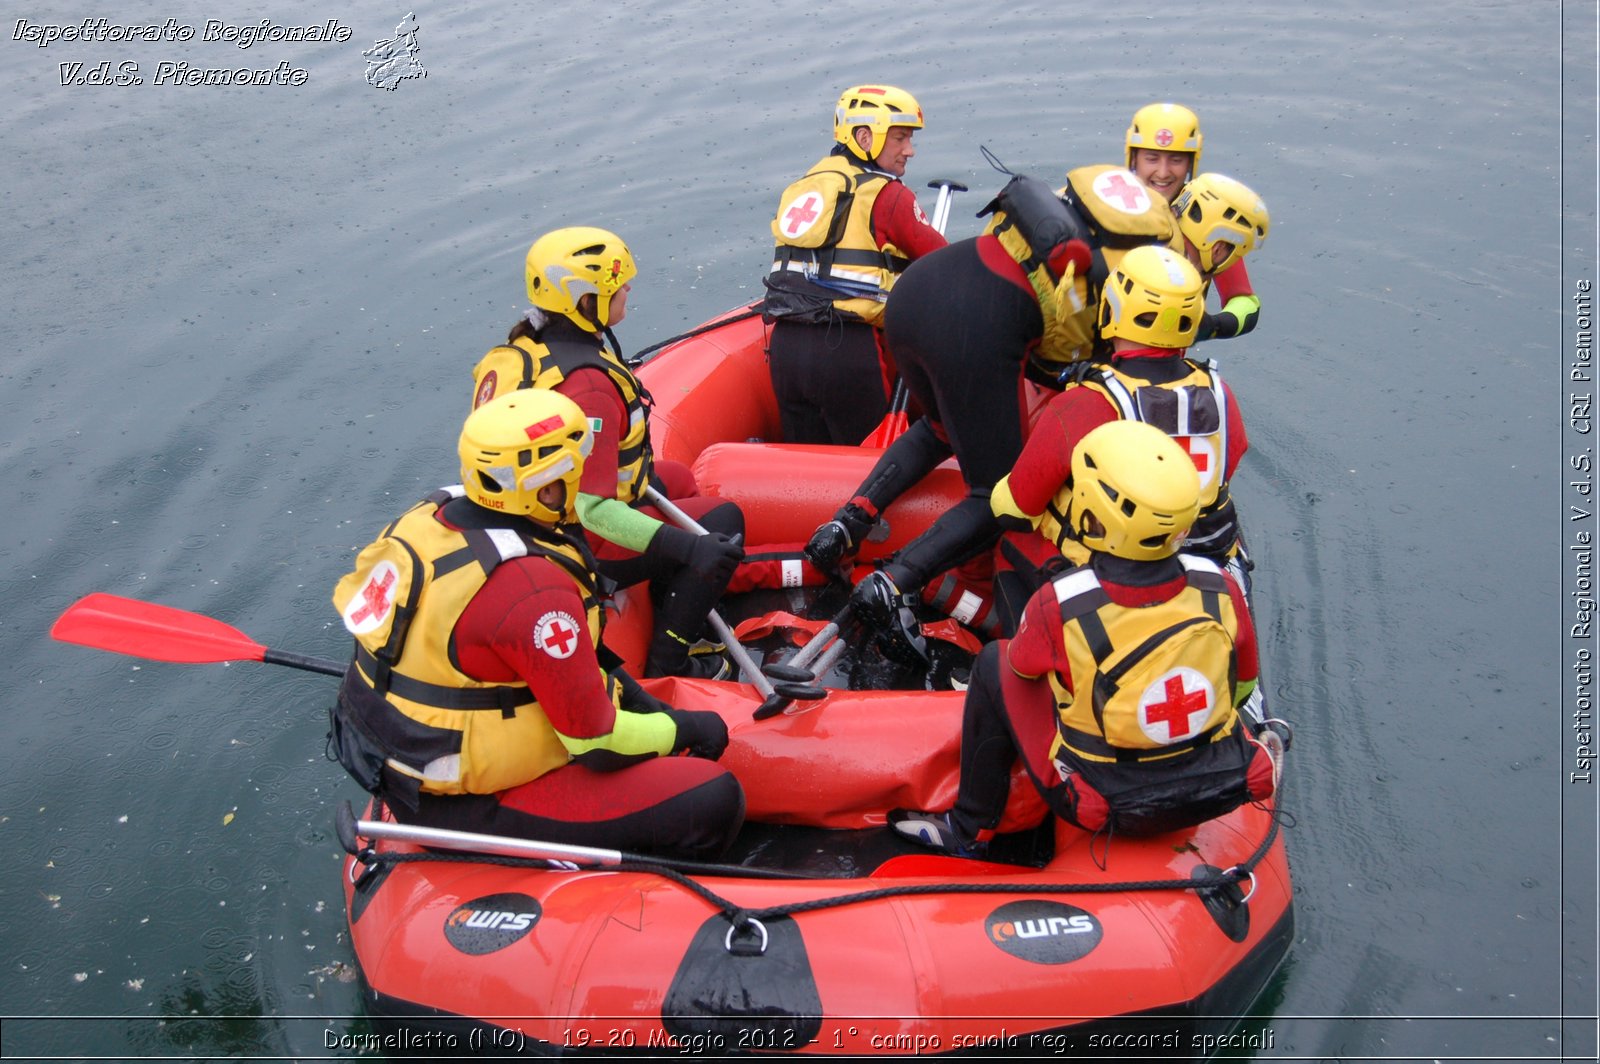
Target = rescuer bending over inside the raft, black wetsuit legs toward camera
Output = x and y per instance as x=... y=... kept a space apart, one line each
x=967 y=326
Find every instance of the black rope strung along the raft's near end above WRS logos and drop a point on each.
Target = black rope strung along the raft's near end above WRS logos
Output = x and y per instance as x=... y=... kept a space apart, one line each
x=750 y=921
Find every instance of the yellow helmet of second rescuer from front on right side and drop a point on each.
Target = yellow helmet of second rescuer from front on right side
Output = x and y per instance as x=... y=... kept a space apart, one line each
x=1153 y=297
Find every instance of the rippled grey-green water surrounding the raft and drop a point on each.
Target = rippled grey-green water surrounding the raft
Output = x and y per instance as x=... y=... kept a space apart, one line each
x=242 y=321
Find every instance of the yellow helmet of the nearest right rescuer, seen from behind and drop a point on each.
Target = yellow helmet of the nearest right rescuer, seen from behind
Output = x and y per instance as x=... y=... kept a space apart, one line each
x=1135 y=492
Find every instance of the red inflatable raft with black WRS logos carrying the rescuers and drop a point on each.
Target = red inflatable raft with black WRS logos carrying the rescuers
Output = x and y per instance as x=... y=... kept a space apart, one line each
x=825 y=934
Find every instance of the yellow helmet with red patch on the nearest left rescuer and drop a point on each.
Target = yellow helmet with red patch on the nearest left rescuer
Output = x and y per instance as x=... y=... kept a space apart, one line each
x=516 y=444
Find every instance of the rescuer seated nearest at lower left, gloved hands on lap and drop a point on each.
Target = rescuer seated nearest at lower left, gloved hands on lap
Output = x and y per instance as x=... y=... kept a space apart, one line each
x=476 y=700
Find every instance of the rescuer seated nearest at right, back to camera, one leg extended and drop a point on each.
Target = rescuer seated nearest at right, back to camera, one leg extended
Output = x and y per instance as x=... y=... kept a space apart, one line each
x=1119 y=690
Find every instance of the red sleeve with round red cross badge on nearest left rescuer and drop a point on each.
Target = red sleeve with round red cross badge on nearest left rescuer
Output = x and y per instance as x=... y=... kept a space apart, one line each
x=527 y=623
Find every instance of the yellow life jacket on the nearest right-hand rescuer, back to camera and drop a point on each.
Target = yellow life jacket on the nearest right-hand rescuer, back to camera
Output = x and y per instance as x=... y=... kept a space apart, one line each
x=1151 y=682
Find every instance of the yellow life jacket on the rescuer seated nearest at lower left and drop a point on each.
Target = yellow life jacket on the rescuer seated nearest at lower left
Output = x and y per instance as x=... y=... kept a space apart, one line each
x=439 y=730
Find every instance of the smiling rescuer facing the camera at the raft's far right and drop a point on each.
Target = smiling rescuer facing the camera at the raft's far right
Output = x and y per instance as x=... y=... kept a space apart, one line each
x=1164 y=151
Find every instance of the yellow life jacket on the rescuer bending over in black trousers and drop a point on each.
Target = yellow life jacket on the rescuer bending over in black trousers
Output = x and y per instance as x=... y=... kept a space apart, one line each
x=1121 y=215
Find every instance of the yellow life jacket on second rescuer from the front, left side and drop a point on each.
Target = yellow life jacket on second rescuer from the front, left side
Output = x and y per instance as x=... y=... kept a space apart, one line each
x=534 y=364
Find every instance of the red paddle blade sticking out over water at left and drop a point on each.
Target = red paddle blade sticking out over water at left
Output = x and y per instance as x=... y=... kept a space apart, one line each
x=145 y=630
